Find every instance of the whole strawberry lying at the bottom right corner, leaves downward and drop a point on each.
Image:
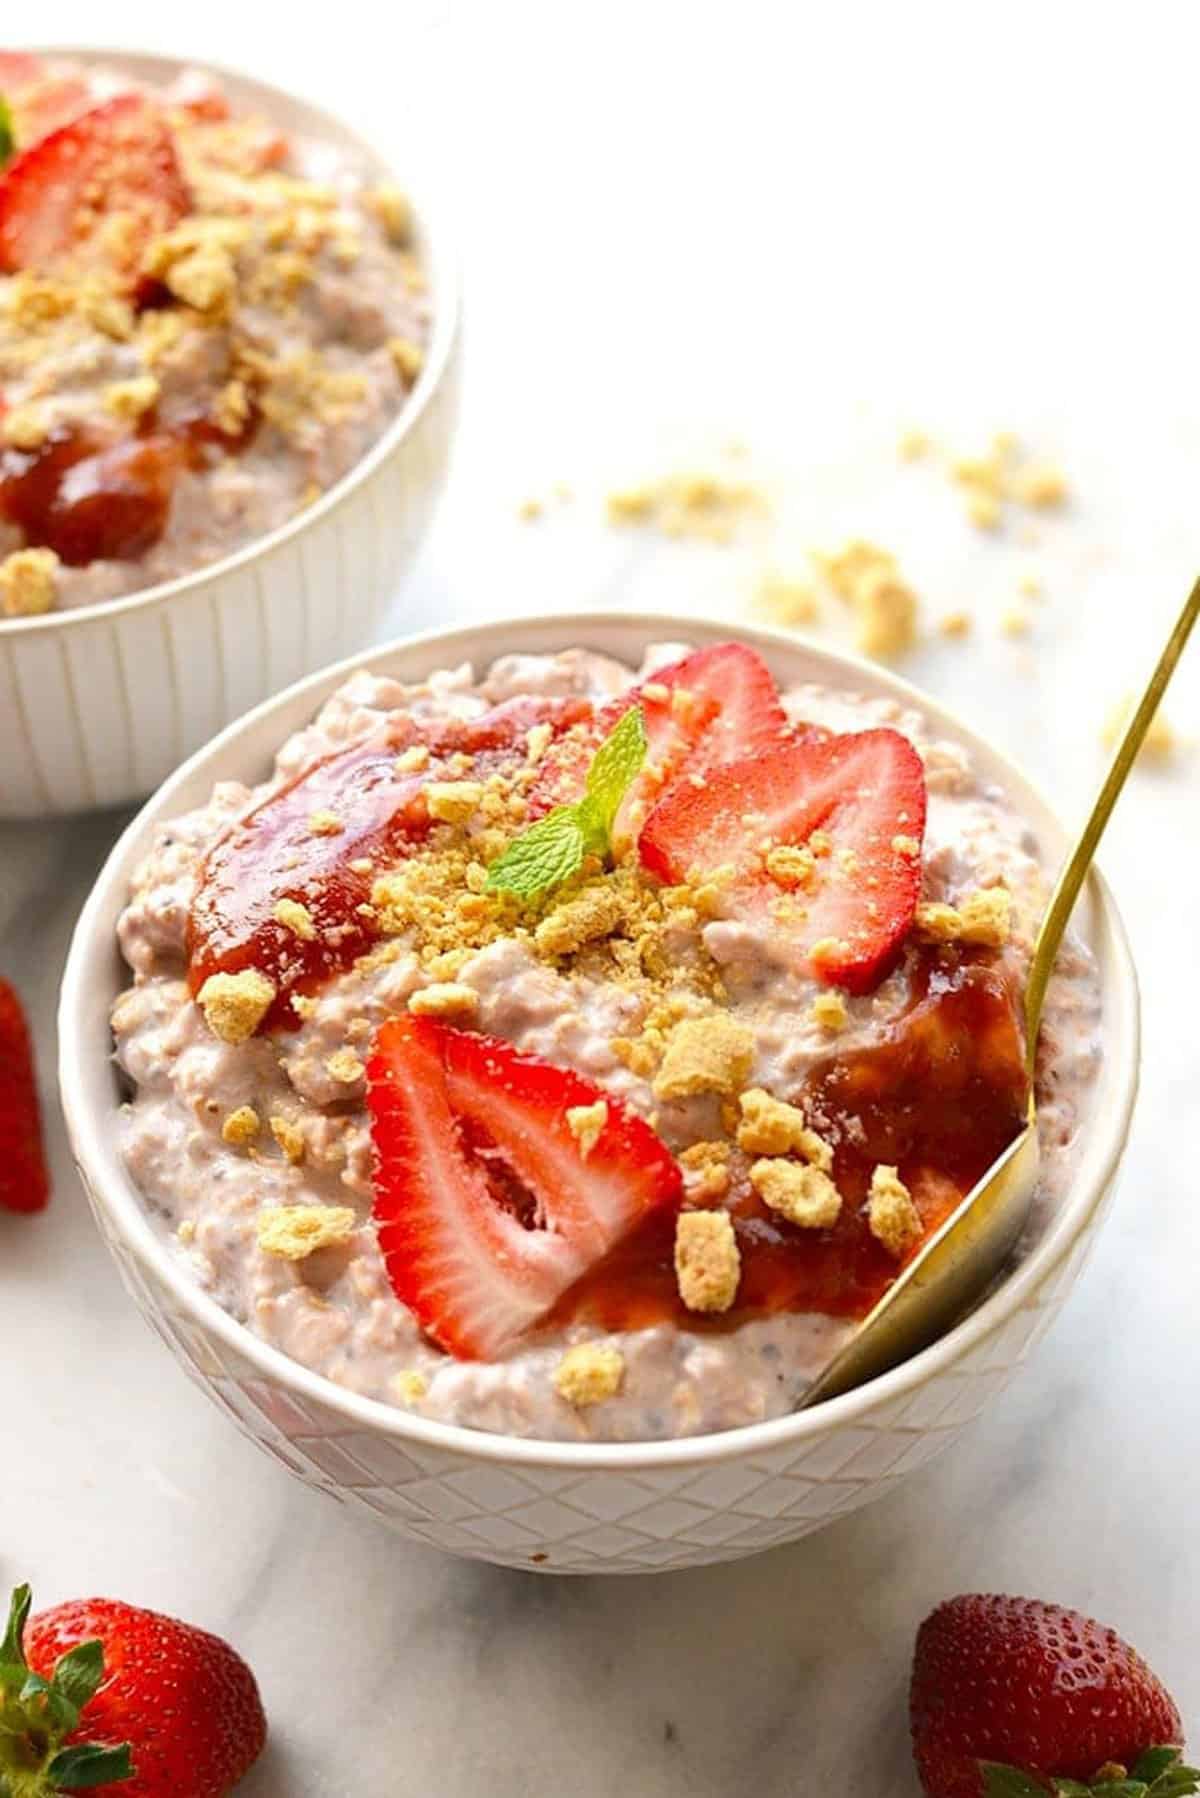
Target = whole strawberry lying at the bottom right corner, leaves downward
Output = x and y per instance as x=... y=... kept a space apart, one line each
x=1014 y=1700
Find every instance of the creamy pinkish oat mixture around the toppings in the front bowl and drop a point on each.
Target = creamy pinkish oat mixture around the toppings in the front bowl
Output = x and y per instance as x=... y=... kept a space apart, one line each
x=231 y=1139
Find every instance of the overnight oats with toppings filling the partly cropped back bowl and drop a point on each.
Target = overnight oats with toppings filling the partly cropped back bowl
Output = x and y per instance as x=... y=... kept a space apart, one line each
x=204 y=325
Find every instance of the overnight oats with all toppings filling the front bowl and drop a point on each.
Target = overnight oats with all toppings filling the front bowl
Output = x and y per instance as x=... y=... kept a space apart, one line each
x=578 y=1053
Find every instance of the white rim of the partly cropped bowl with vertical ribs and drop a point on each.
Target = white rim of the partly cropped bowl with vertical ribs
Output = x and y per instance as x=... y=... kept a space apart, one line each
x=442 y=258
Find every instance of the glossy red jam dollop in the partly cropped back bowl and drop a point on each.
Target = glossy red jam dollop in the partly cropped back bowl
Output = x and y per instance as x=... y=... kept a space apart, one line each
x=94 y=499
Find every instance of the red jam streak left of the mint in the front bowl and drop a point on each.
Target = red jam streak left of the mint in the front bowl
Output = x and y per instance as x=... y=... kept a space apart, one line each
x=274 y=853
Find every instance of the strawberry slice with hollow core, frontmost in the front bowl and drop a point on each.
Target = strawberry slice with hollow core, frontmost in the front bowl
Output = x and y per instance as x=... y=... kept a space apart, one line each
x=487 y=1206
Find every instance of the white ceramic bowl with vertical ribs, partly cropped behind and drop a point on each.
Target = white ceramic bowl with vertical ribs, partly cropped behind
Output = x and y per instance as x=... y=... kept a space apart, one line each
x=100 y=704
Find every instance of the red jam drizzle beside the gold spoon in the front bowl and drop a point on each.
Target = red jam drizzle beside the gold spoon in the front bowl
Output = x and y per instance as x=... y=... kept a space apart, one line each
x=940 y=1098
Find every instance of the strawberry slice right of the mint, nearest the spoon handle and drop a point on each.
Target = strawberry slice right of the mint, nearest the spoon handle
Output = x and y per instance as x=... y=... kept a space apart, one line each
x=863 y=792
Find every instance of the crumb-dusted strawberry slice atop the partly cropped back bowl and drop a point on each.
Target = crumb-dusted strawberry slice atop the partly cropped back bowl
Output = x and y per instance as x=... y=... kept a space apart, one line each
x=62 y=195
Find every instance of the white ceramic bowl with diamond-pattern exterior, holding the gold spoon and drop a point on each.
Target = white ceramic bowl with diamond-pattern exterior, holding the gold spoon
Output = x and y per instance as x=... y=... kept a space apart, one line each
x=568 y=1508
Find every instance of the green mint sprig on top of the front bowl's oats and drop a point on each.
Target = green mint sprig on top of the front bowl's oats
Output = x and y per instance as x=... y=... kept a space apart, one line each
x=553 y=850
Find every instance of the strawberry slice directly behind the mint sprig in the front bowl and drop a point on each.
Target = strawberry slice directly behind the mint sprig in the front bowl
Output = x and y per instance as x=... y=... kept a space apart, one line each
x=701 y=713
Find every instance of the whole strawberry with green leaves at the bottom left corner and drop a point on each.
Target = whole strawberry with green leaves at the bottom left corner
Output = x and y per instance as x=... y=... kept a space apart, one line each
x=98 y=1695
